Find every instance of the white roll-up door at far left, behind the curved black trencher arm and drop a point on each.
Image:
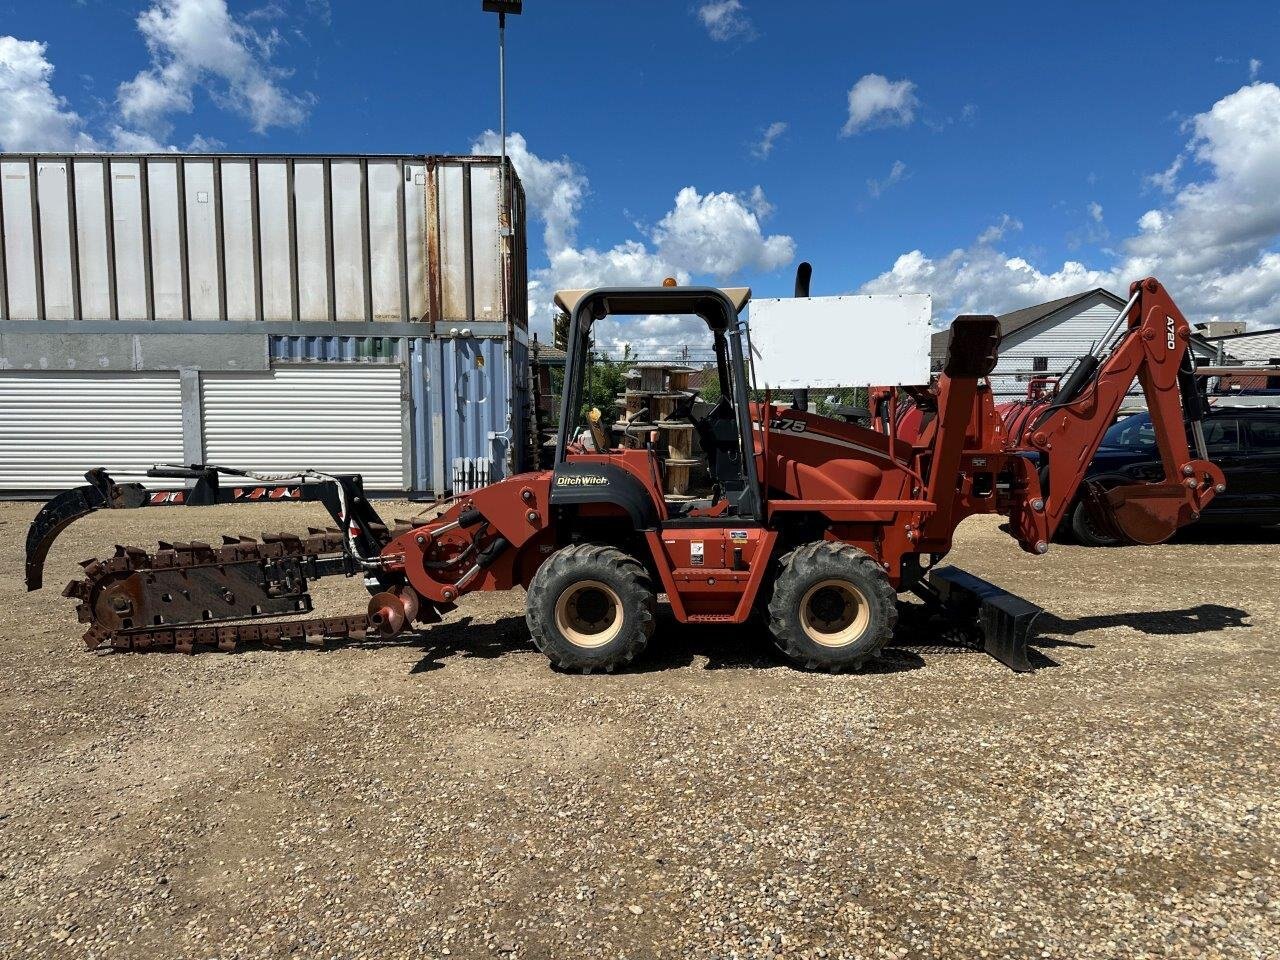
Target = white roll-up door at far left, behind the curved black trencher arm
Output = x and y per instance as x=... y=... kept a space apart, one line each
x=56 y=426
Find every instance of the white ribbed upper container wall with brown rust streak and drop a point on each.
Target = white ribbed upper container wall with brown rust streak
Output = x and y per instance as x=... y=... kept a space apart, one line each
x=235 y=237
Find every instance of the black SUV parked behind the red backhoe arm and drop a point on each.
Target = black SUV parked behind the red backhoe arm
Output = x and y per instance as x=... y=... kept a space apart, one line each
x=1244 y=441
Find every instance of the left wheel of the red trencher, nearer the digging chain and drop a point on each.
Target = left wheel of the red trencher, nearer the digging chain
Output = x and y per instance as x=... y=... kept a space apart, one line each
x=633 y=596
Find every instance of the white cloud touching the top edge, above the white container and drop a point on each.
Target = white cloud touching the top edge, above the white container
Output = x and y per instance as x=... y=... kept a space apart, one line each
x=198 y=44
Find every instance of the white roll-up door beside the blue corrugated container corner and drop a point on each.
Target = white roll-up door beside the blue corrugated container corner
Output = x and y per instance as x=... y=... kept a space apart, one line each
x=339 y=418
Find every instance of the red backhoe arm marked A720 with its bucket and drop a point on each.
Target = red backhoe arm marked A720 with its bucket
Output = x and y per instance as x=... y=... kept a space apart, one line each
x=1156 y=350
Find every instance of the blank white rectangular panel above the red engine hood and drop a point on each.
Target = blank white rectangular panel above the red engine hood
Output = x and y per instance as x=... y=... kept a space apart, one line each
x=856 y=341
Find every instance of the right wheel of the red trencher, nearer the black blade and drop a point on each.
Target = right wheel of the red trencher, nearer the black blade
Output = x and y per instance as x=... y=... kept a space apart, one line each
x=804 y=572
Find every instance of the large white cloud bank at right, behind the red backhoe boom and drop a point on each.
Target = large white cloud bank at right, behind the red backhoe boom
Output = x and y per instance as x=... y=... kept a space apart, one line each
x=1213 y=243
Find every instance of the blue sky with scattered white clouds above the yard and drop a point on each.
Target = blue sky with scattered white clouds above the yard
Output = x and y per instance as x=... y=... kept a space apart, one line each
x=1009 y=152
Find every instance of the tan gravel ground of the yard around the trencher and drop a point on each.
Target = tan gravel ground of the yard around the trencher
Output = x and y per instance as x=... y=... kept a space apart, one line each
x=455 y=797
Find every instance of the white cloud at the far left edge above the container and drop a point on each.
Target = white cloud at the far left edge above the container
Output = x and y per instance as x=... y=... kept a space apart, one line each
x=33 y=117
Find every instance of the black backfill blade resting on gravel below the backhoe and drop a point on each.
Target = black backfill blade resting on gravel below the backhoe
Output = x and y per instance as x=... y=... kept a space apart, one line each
x=1000 y=620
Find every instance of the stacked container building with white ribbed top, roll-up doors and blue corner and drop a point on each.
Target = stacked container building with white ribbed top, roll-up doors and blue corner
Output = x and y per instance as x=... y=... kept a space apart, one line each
x=231 y=277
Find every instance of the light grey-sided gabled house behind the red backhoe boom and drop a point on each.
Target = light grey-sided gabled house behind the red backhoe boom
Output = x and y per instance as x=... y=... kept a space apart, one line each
x=1046 y=339
